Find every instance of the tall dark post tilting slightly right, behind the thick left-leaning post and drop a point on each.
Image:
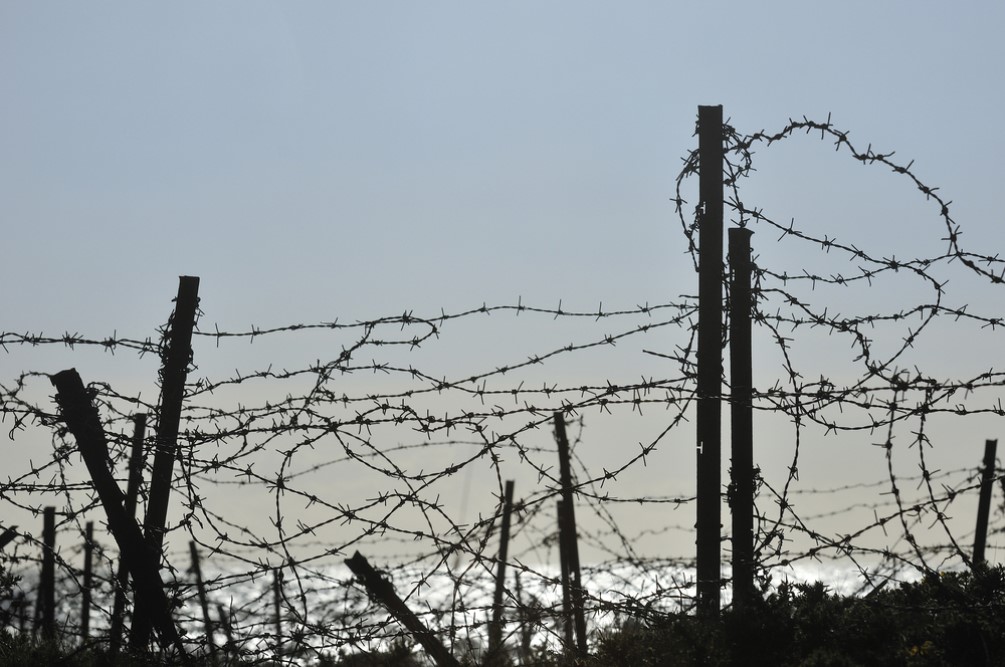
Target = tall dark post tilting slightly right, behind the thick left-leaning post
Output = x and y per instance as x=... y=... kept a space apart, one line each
x=175 y=362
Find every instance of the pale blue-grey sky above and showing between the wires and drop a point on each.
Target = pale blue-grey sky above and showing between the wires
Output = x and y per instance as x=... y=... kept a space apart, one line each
x=316 y=161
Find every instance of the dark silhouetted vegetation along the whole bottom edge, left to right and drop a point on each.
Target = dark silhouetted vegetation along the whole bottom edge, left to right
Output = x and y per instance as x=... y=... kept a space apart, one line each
x=946 y=619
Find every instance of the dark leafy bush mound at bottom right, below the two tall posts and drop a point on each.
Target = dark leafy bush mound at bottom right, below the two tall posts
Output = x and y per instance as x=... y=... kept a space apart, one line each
x=946 y=619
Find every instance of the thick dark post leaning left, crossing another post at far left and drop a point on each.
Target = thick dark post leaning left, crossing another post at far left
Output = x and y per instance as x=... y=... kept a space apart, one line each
x=84 y=423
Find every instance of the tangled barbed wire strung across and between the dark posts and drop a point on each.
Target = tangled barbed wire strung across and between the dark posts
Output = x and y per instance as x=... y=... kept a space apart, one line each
x=369 y=436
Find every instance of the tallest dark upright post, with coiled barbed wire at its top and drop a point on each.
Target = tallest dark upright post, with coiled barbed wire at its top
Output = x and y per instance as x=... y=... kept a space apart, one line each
x=710 y=358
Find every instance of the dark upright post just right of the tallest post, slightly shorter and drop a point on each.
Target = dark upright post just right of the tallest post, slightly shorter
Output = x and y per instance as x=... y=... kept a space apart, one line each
x=741 y=381
